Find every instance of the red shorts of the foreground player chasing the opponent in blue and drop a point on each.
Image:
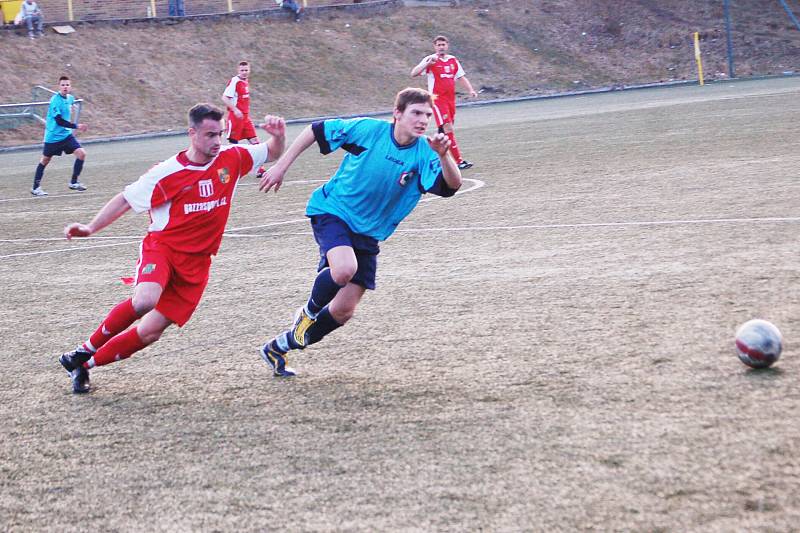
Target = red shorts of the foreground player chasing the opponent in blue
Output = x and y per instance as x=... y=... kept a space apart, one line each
x=182 y=276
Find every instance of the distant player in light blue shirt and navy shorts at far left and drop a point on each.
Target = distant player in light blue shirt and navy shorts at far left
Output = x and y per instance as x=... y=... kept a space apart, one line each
x=58 y=137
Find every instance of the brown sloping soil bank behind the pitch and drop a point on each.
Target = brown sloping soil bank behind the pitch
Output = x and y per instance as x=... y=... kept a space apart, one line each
x=142 y=76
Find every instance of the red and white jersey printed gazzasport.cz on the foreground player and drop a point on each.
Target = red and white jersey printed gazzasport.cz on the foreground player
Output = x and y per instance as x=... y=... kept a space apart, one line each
x=189 y=204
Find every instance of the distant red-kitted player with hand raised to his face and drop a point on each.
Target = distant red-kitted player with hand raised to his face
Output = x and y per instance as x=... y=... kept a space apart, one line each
x=443 y=70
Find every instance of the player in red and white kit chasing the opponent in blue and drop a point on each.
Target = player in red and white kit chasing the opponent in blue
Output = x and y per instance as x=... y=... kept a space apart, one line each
x=188 y=198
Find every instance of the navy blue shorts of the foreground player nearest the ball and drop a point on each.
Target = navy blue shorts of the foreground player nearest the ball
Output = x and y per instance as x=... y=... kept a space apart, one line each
x=331 y=231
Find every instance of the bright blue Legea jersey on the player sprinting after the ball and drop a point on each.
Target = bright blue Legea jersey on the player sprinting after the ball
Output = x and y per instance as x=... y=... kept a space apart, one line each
x=379 y=182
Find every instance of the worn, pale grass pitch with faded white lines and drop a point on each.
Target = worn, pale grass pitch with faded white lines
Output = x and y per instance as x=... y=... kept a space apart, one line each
x=551 y=349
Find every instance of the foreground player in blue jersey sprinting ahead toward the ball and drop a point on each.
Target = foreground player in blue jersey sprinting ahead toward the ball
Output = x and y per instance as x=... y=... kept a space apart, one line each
x=379 y=182
